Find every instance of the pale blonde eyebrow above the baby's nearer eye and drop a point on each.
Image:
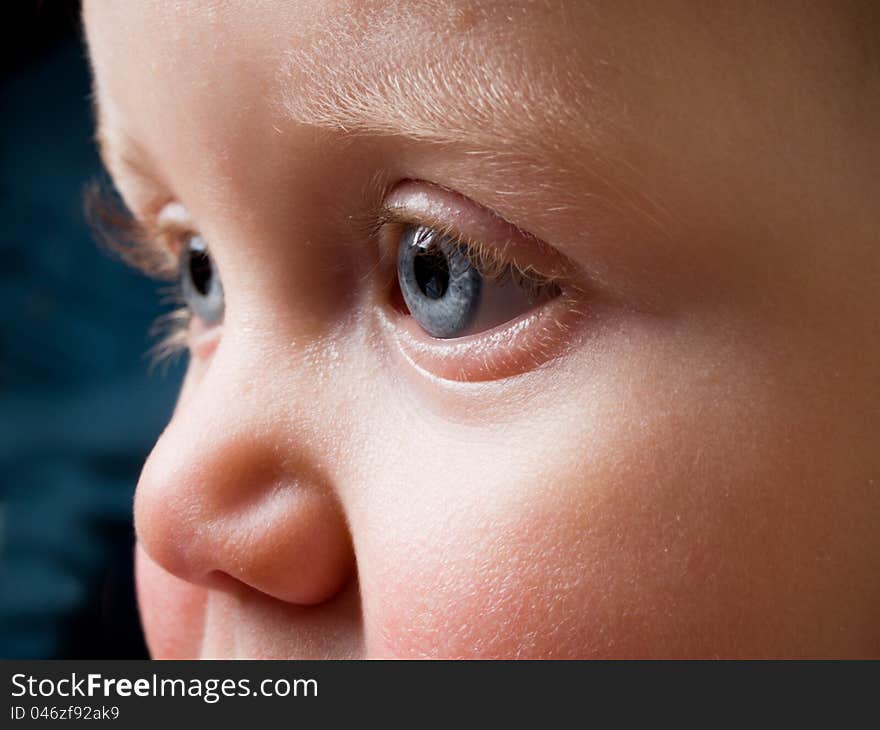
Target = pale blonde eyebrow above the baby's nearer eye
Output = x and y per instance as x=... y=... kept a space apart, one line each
x=444 y=101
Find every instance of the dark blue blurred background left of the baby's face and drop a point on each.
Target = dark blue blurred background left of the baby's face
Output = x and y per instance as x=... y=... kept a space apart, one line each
x=79 y=410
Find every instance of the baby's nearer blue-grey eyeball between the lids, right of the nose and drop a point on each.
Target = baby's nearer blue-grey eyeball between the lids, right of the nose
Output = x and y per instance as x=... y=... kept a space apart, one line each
x=451 y=294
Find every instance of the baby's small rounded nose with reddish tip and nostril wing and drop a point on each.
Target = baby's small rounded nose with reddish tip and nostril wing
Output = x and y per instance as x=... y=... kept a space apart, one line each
x=235 y=487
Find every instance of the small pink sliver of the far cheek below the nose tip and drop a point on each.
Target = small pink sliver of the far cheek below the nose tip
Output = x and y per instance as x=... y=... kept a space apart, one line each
x=172 y=610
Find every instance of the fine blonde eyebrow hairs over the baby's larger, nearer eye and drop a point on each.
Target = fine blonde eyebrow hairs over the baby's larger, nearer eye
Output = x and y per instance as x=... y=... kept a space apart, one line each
x=440 y=99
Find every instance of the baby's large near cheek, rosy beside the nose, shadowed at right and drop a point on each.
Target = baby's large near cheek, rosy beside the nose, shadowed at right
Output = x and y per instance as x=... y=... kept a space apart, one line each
x=640 y=552
